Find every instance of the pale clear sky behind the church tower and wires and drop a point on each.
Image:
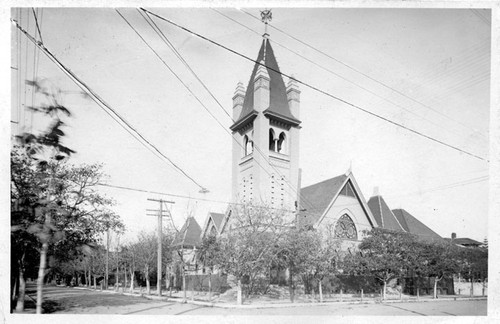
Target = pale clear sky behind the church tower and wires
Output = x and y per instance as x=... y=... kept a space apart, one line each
x=426 y=69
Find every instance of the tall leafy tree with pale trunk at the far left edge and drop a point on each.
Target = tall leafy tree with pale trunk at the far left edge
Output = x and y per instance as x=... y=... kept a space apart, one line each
x=52 y=202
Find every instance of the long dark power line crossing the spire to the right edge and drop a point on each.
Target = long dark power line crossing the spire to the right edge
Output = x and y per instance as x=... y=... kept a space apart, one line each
x=318 y=90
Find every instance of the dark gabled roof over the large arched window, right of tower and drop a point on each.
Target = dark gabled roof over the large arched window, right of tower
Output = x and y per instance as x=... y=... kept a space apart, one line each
x=317 y=198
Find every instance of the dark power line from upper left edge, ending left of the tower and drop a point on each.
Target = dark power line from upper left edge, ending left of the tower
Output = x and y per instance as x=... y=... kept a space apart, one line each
x=106 y=107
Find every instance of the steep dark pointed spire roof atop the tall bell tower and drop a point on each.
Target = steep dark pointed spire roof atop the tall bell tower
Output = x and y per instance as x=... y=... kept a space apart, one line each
x=278 y=104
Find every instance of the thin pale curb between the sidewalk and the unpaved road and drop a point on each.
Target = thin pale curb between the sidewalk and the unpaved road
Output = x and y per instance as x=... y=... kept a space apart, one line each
x=284 y=305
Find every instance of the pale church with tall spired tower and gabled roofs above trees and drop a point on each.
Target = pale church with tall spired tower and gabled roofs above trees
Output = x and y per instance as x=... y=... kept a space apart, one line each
x=265 y=165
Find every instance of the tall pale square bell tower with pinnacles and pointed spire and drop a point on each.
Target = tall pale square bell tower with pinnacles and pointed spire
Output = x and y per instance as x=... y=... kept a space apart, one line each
x=266 y=114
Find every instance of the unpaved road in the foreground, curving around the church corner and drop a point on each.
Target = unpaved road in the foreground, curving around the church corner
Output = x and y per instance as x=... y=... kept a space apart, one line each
x=60 y=300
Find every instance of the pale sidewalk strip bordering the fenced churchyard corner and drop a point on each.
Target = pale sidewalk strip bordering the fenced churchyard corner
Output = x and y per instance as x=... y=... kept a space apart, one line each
x=280 y=303
